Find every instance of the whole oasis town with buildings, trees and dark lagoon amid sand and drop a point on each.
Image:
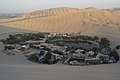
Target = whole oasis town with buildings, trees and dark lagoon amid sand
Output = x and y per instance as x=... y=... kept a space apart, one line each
x=71 y=49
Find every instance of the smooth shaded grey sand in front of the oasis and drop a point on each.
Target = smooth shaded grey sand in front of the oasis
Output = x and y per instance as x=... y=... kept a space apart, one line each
x=17 y=67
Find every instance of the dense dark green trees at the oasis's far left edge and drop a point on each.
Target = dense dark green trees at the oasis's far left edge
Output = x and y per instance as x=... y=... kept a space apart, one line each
x=13 y=39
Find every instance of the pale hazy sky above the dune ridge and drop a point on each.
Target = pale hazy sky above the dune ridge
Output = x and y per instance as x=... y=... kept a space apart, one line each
x=12 y=6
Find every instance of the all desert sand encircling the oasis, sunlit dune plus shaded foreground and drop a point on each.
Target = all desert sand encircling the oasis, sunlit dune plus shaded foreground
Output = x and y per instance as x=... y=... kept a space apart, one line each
x=17 y=67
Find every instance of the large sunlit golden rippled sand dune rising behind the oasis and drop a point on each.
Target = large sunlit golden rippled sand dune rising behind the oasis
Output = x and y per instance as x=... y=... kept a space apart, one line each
x=88 y=21
